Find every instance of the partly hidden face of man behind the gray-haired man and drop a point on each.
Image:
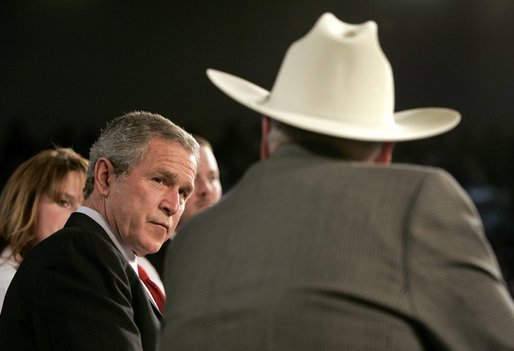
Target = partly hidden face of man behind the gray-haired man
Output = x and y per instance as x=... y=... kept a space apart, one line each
x=207 y=186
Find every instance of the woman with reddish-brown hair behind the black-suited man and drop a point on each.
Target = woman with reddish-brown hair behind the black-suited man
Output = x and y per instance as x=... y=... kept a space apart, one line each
x=36 y=201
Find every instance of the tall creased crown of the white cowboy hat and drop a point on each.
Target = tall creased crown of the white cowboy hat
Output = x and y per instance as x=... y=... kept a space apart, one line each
x=353 y=82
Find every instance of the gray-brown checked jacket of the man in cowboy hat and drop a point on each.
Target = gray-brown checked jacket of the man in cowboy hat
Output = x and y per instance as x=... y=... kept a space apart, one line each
x=311 y=253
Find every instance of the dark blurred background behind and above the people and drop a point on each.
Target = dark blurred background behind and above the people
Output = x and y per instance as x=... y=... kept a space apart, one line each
x=68 y=66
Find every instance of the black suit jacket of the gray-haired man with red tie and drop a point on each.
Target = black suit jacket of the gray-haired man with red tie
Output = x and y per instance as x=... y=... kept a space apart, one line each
x=76 y=291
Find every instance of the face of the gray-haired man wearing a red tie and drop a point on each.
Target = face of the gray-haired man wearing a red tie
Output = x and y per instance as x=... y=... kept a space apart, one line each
x=145 y=204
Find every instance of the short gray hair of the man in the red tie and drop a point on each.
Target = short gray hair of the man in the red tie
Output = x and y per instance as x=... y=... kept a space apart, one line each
x=125 y=139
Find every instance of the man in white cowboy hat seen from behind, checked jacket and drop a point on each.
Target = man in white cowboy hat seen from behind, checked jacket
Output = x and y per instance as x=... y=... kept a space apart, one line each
x=323 y=245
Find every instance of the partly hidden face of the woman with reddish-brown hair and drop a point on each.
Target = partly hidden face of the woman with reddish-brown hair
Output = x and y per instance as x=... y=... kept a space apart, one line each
x=52 y=213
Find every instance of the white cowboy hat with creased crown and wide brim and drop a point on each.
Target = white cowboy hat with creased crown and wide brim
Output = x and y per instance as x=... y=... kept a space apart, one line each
x=337 y=81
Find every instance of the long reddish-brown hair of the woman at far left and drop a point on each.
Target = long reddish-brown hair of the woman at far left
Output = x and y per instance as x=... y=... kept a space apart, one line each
x=44 y=173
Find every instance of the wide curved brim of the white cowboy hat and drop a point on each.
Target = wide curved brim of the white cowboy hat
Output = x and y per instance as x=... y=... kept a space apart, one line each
x=409 y=124
